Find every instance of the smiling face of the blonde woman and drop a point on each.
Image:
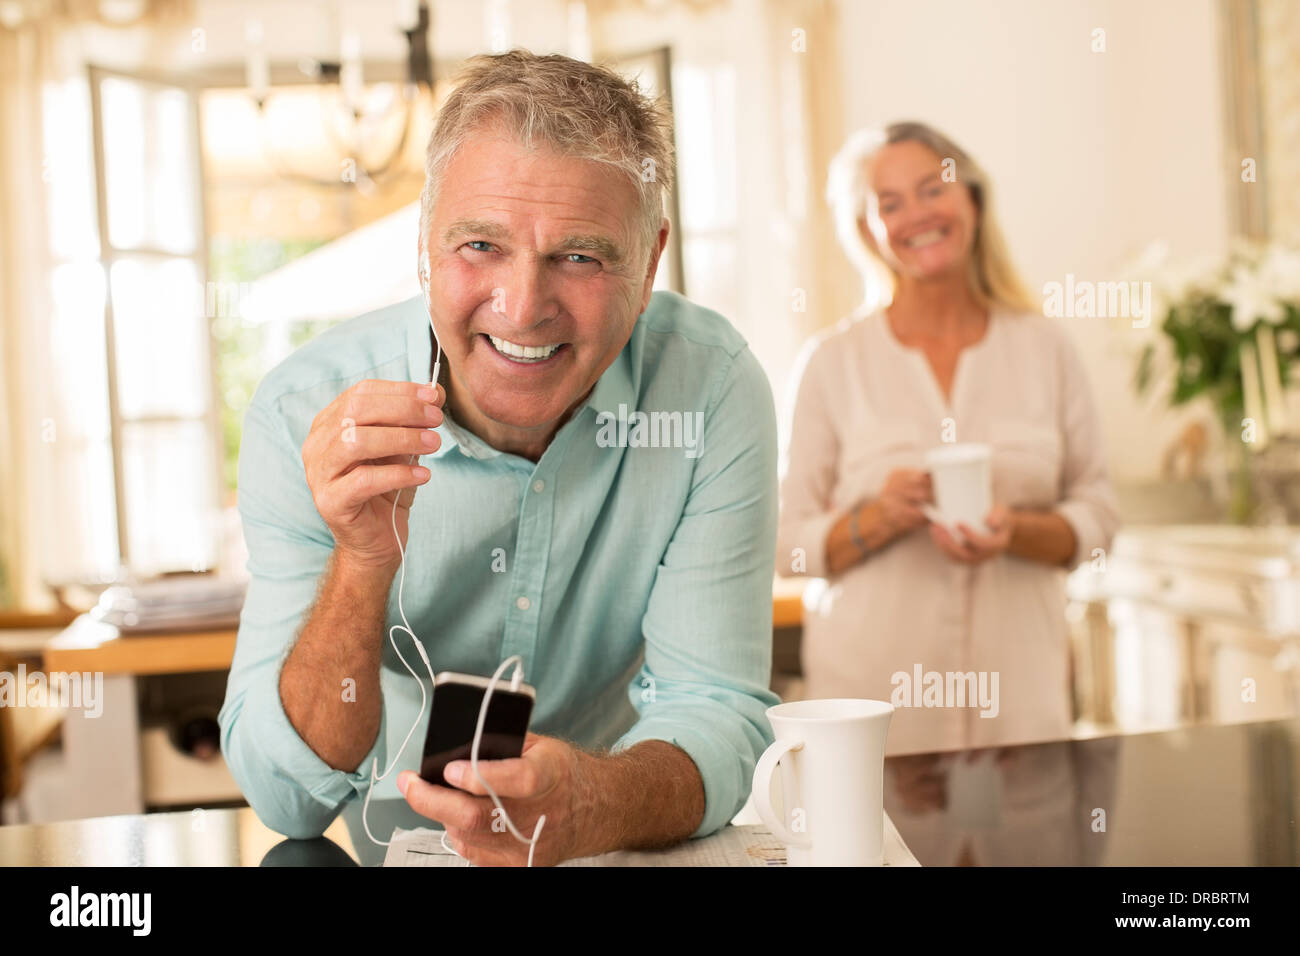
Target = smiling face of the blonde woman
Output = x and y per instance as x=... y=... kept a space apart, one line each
x=920 y=220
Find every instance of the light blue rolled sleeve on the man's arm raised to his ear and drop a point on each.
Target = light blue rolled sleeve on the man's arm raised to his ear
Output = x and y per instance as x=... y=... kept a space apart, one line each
x=287 y=784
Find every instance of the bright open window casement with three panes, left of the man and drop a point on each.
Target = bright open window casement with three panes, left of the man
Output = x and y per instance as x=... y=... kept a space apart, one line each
x=162 y=410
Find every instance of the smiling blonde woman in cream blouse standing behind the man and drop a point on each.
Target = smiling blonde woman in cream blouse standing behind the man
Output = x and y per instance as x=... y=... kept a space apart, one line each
x=963 y=354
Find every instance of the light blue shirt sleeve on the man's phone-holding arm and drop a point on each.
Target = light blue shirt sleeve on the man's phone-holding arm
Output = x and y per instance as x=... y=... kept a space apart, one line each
x=705 y=684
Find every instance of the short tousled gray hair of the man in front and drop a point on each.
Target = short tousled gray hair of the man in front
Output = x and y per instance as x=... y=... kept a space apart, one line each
x=574 y=107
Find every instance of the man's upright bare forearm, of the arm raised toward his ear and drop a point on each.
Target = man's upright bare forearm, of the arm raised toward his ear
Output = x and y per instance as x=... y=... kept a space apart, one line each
x=343 y=639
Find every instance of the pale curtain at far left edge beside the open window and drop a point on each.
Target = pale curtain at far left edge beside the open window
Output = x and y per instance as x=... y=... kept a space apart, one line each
x=49 y=503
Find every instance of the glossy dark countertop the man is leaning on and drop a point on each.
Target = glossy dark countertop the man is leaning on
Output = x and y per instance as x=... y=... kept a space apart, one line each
x=1199 y=797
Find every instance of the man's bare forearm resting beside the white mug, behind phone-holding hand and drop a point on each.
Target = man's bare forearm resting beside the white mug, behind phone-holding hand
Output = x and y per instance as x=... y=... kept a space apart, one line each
x=651 y=795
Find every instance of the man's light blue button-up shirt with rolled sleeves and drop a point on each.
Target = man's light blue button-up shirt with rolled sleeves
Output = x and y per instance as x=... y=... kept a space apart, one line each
x=634 y=578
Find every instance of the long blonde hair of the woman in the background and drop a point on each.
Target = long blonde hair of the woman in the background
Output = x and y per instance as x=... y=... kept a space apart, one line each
x=993 y=276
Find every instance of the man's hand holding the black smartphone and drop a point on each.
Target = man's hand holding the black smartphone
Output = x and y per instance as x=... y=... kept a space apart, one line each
x=552 y=778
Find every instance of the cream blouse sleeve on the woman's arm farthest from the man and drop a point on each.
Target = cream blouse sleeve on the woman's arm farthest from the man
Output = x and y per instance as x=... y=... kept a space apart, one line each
x=1087 y=499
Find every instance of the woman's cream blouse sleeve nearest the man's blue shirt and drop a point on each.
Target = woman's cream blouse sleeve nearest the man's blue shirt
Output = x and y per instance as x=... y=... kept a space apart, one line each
x=808 y=471
